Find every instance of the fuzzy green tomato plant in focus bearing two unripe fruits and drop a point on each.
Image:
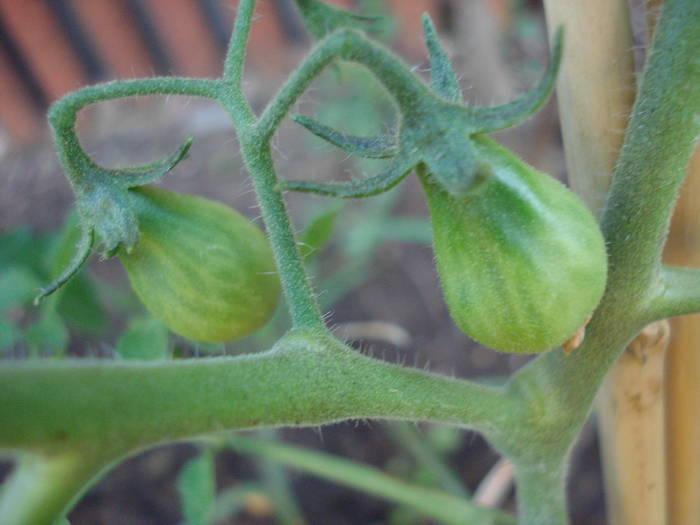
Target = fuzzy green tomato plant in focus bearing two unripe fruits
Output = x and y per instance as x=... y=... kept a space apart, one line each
x=489 y=209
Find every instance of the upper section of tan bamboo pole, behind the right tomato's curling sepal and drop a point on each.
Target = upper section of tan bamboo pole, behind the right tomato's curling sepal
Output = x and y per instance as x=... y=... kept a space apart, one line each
x=595 y=89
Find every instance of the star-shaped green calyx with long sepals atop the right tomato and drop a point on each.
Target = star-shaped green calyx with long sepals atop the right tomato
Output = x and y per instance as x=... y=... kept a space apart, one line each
x=436 y=131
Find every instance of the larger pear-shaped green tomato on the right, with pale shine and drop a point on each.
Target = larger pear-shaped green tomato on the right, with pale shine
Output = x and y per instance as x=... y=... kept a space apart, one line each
x=521 y=260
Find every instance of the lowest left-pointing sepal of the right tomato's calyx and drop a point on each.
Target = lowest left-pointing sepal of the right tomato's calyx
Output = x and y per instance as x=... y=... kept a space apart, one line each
x=355 y=189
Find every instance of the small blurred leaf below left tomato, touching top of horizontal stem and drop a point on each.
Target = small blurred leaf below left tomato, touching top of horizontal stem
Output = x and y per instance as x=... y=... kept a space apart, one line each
x=145 y=338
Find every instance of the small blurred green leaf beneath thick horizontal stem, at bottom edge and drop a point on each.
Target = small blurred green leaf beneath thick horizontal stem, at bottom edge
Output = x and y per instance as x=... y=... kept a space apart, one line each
x=197 y=487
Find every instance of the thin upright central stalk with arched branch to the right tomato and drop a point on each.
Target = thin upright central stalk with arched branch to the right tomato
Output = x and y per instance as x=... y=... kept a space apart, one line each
x=257 y=154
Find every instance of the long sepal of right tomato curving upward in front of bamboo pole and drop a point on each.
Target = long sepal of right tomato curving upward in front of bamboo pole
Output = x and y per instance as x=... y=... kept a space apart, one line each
x=507 y=115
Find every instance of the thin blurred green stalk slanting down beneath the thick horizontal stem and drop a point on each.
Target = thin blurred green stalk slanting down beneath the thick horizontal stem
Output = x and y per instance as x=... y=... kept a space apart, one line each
x=433 y=503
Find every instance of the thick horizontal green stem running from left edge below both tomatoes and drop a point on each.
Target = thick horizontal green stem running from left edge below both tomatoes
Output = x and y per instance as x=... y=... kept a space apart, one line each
x=307 y=379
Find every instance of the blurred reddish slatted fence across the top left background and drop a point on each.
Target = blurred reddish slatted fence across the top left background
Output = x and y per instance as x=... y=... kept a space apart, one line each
x=50 y=47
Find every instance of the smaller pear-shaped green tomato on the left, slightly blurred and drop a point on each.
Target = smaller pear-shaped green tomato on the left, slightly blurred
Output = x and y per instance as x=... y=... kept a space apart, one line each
x=204 y=270
